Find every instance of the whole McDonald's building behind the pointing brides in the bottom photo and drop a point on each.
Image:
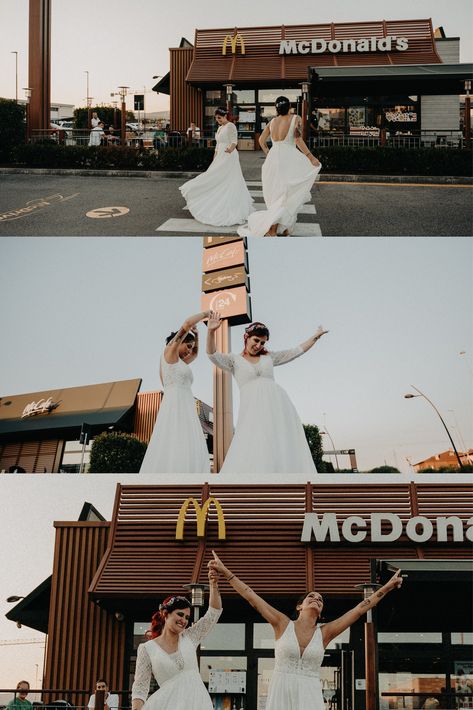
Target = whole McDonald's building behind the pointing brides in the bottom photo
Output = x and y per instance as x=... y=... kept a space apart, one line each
x=108 y=578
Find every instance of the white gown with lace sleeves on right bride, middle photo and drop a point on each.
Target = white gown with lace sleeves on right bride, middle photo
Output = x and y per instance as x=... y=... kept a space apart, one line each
x=269 y=437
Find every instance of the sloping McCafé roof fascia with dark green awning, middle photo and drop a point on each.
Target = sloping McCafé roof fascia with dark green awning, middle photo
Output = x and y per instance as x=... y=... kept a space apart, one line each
x=65 y=410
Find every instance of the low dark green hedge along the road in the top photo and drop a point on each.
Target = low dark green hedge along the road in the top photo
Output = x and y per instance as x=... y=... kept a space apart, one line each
x=335 y=159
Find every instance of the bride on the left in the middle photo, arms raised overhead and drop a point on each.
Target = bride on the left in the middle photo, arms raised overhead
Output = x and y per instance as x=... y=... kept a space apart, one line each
x=177 y=444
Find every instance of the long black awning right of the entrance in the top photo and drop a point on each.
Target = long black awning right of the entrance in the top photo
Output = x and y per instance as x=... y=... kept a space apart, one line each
x=430 y=79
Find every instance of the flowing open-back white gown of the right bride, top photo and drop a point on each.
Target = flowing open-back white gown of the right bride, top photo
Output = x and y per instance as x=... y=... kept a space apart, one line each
x=287 y=177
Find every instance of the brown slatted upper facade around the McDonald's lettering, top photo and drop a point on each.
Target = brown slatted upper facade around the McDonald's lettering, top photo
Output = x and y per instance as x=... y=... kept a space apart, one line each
x=263 y=66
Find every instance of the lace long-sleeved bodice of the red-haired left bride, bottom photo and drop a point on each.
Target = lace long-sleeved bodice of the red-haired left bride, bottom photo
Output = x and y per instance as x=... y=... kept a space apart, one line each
x=153 y=660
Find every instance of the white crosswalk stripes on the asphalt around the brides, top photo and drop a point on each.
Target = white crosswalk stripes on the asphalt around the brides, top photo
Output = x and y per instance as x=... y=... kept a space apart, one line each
x=189 y=226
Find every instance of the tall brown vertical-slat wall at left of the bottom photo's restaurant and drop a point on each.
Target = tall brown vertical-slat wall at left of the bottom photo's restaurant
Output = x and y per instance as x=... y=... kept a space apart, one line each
x=84 y=642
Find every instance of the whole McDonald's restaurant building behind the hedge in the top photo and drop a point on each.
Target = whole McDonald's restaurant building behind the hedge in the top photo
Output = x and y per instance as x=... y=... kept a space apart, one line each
x=354 y=78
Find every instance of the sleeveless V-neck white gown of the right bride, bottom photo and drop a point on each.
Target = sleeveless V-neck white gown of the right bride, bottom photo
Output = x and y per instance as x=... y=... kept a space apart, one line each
x=295 y=683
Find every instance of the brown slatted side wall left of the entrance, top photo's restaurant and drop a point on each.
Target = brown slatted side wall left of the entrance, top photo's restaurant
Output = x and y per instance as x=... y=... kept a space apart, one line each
x=186 y=101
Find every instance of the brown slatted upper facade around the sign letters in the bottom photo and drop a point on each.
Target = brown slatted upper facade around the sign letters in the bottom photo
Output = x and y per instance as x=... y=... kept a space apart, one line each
x=264 y=525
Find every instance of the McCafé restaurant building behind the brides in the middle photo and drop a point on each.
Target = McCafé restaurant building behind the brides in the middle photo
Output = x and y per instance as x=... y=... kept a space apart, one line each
x=40 y=431
